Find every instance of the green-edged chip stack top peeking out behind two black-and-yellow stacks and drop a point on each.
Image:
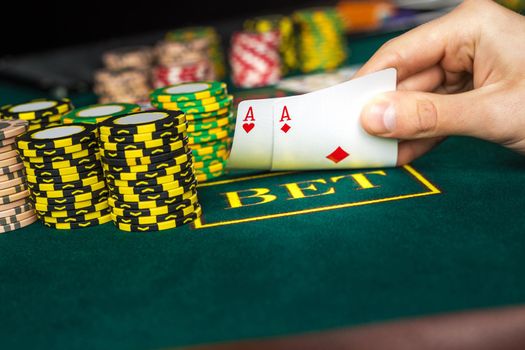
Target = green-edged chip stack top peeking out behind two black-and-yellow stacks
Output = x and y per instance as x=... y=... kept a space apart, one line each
x=94 y=114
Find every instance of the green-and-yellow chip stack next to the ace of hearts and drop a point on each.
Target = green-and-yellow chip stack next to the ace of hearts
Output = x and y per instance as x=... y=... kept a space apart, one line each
x=207 y=106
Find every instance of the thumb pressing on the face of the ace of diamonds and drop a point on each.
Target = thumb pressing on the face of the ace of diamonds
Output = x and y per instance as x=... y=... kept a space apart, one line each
x=414 y=115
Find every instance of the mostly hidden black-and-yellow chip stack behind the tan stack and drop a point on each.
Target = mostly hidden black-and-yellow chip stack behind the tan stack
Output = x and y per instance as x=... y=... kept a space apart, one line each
x=39 y=113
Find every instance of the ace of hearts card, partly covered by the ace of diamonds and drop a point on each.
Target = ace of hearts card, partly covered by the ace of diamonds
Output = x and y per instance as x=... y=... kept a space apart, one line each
x=253 y=138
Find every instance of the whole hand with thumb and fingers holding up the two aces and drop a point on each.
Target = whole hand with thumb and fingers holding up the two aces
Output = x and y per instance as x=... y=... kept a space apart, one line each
x=461 y=74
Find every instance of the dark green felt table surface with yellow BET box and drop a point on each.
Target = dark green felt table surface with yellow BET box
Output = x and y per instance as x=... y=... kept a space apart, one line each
x=278 y=254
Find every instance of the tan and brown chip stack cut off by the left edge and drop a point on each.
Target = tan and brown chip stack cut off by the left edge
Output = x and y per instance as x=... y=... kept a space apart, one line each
x=16 y=210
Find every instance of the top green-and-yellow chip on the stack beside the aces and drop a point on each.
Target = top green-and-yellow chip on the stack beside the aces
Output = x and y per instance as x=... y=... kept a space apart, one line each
x=188 y=92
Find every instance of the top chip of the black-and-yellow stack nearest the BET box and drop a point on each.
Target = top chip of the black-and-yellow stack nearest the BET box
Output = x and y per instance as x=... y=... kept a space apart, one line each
x=141 y=122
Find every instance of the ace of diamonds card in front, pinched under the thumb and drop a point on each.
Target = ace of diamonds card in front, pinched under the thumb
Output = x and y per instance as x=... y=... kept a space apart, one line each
x=321 y=130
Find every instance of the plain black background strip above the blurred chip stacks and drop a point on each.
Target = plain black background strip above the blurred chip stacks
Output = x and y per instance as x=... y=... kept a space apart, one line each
x=33 y=27
